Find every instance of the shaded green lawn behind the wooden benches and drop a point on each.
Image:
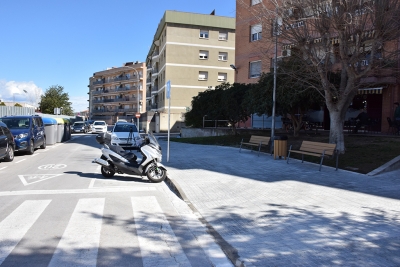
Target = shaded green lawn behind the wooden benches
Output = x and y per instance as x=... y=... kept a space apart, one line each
x=364 y=153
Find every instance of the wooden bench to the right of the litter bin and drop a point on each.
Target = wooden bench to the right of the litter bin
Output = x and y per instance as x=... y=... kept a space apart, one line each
x=317 y=149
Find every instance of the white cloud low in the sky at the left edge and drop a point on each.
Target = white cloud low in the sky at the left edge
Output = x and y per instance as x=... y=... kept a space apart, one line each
x=25 y=92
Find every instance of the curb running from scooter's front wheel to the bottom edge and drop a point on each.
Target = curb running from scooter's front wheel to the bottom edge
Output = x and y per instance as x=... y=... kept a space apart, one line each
x=229 y=250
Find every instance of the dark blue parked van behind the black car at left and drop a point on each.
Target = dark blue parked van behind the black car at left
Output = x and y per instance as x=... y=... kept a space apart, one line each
x=28 y=132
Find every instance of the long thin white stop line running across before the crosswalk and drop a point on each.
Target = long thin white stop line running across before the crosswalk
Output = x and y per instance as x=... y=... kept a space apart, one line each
x=77 y=191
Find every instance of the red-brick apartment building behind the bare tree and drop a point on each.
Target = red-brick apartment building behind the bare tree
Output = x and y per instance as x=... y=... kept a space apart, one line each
x=255 y=52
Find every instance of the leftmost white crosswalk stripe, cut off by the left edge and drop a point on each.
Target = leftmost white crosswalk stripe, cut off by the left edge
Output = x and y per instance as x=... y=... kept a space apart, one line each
x=16 y=225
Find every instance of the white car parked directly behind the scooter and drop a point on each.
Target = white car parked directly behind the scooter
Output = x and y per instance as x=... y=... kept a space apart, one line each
x=126 y=135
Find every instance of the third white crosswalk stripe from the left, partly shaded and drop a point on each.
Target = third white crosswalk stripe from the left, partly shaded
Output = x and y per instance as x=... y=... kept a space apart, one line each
x=158 y=243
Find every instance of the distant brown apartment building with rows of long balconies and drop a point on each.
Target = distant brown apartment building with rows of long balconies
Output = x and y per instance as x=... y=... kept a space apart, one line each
x=118 y=93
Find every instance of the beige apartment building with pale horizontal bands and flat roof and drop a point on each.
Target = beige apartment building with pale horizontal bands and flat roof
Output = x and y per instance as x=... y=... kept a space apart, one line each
x=192 y=51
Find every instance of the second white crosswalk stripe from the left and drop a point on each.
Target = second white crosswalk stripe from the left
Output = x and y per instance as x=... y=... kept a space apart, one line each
x=80 y=242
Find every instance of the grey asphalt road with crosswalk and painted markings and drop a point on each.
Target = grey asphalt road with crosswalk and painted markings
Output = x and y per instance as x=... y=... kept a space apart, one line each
x=56 y=209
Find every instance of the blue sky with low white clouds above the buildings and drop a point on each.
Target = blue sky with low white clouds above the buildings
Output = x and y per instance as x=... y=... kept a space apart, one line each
x=63 y=42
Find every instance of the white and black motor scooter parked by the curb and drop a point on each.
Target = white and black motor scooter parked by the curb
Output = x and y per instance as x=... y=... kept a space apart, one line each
x=117 y=160
